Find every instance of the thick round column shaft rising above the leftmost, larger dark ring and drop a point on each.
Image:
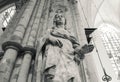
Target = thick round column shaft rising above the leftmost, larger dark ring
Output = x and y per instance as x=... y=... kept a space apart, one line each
x=23 y=23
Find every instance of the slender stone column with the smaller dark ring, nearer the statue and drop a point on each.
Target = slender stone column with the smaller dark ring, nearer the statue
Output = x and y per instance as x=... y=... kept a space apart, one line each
x=29 y=49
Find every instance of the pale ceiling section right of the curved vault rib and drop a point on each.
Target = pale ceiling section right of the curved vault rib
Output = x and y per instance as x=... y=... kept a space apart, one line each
x=109 y=12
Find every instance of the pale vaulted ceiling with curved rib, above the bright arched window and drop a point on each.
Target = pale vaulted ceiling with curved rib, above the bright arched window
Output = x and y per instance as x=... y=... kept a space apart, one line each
x=98 y=12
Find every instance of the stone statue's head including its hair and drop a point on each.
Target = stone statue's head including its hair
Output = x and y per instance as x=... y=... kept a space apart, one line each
x=59 y=19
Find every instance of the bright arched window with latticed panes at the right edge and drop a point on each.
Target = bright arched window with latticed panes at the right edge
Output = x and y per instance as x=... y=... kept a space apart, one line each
x=111 y=41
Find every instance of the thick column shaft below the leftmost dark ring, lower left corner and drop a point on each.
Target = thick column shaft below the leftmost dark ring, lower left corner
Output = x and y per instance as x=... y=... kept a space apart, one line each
x=6 y=64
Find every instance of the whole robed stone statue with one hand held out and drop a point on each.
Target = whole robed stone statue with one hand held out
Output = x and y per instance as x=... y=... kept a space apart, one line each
x=61 y=53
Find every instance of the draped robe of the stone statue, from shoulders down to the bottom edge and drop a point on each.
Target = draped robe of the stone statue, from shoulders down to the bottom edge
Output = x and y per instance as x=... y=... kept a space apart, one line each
x=59 y=57
